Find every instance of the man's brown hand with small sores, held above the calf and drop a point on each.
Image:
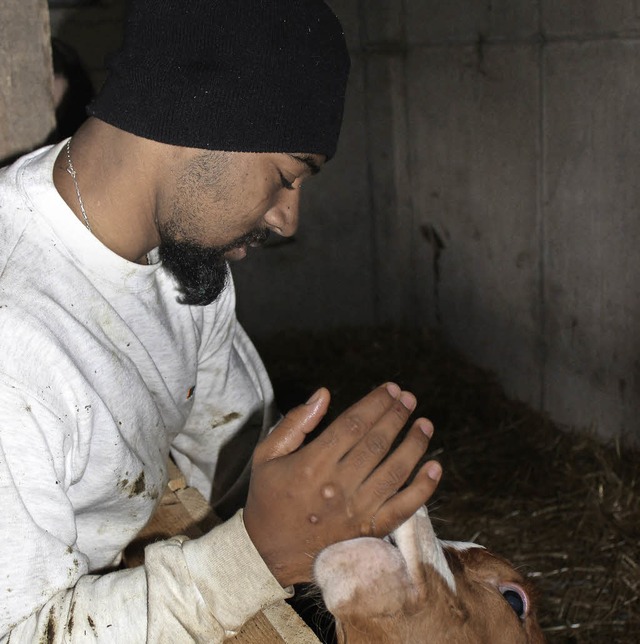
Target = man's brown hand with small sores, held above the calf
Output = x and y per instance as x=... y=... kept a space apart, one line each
x=340 y=485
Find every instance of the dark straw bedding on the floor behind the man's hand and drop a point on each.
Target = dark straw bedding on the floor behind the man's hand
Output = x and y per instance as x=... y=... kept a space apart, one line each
x=563 y=508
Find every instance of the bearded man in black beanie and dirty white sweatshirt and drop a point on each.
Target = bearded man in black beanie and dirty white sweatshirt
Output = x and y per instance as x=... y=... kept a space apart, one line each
x=119 y=341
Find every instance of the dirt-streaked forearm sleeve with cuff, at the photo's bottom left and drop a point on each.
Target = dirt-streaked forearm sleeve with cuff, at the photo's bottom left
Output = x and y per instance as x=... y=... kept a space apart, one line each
x=187 y=591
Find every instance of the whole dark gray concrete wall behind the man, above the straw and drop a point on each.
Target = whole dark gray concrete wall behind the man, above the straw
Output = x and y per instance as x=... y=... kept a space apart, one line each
x=485 y=184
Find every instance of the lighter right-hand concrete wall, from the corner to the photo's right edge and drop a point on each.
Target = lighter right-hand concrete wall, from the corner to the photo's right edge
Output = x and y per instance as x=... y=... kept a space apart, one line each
x=524 y=137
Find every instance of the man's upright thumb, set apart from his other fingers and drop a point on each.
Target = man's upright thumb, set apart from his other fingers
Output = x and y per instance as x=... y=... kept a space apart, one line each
x=290 y=432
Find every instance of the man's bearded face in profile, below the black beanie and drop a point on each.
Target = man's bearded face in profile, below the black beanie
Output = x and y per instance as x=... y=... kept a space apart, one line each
x=222 y=203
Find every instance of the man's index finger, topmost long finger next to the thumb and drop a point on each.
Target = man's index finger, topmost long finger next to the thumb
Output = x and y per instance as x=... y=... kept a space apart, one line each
x=357 y=421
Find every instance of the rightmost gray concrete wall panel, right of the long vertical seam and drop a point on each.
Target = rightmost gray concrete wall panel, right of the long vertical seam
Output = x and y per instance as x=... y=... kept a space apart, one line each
x=592 y=231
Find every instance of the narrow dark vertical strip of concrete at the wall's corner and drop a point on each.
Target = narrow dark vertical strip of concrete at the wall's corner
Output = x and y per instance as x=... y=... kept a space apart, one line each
x=382 y=39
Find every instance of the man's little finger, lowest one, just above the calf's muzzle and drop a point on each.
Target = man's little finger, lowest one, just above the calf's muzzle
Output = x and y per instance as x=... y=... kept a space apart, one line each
x=404 y=504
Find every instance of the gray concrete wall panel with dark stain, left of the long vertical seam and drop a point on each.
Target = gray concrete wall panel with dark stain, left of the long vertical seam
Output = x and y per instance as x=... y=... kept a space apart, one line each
x=474 y=137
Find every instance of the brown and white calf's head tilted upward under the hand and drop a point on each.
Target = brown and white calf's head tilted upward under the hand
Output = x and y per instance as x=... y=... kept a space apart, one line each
x=415 y=589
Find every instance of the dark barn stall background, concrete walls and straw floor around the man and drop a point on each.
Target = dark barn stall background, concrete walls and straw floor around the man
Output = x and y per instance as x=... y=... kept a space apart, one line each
x=476 y=239
